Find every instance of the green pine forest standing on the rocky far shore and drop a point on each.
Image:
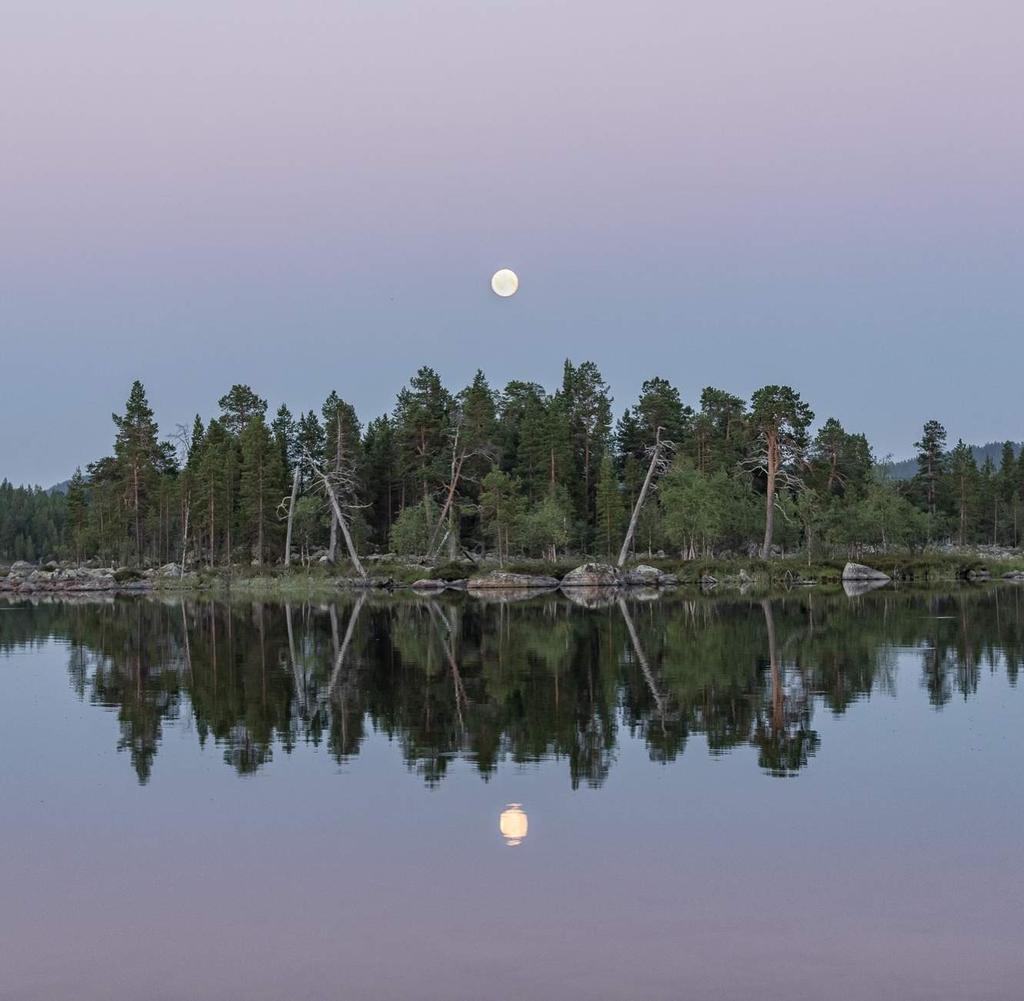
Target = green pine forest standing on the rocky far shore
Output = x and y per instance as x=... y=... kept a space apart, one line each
x=521 y=472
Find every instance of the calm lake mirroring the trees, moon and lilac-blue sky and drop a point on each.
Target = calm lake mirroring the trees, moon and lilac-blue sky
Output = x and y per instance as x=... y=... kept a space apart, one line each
x=691 y=798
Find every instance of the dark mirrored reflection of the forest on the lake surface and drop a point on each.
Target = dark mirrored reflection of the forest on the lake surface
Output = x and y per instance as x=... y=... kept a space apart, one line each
x=496 y=682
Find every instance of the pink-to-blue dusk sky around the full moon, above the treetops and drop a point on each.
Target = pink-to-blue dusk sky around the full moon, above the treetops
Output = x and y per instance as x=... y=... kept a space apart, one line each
x=309 y=196
